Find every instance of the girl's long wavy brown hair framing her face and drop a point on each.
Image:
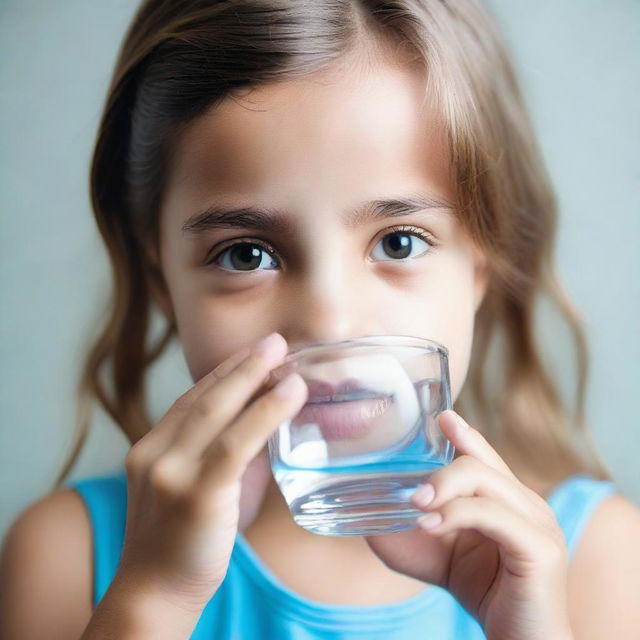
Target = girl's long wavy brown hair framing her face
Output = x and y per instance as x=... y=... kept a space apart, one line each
x=182 y=57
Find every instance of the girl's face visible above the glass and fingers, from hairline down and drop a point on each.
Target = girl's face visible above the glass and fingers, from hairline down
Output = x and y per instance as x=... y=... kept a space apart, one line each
x=309 y=155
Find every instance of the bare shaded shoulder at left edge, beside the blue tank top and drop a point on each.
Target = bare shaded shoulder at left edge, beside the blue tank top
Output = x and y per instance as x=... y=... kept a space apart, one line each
x=46 y=570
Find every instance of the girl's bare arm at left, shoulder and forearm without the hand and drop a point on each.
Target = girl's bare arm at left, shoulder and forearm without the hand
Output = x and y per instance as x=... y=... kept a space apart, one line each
x=46 y=580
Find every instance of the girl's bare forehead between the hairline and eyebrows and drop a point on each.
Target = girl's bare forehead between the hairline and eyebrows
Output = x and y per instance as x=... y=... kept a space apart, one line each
x=349 y=133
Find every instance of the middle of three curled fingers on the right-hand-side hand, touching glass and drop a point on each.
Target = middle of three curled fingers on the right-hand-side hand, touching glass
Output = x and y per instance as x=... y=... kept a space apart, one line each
x=467 y=477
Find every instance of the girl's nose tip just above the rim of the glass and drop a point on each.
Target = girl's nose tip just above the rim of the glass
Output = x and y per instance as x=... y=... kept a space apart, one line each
x=328 y=309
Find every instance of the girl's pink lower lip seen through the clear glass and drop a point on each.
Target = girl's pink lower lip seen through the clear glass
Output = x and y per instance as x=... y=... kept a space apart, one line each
x=344 y=419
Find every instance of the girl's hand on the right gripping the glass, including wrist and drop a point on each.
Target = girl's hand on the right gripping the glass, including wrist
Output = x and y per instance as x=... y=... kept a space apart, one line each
x=496 y=545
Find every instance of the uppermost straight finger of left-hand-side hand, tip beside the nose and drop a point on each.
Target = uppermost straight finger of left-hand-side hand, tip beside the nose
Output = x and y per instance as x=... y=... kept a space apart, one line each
x=220 y=404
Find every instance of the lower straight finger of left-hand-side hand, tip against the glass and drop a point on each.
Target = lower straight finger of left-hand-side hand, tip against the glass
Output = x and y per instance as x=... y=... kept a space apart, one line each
x=229 y=454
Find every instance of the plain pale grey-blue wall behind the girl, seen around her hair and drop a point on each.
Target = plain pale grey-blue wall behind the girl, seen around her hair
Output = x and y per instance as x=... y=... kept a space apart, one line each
x=579 y=64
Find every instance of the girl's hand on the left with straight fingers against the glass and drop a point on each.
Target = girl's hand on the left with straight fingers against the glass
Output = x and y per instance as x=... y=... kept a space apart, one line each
x=184 y=476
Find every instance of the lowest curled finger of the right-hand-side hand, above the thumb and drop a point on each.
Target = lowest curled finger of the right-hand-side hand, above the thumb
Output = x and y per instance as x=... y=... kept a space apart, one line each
x=526 y=545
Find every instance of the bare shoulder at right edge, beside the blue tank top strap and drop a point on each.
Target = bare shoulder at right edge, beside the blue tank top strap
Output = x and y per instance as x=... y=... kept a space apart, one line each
x=604 y=574
